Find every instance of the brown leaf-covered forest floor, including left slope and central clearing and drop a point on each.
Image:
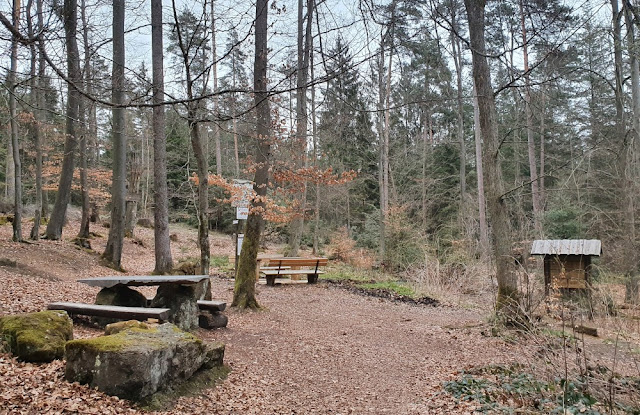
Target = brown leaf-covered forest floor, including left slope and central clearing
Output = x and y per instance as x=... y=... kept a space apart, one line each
x=311 y=350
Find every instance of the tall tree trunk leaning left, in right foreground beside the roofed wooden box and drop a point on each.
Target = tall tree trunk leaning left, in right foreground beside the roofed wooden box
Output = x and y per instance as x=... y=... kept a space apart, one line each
x=508 y=299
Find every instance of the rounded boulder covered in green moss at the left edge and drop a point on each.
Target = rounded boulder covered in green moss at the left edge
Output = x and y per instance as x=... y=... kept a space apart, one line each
x=37 y=337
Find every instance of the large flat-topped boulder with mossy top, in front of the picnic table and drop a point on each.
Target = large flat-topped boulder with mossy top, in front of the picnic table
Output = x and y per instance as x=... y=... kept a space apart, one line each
x=136 y=363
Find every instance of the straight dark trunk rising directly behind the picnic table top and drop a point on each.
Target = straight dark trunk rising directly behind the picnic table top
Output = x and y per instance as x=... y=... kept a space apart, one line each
x=162 y=243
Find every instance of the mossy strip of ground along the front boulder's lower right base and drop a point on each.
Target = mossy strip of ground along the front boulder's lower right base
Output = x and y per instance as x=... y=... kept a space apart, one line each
x=201 y=380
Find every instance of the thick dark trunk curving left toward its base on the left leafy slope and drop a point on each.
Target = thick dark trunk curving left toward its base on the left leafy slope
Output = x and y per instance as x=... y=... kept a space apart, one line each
x=54 y=227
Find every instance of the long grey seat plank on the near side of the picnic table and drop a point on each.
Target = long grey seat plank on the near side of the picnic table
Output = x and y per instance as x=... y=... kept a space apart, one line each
x=136 y=313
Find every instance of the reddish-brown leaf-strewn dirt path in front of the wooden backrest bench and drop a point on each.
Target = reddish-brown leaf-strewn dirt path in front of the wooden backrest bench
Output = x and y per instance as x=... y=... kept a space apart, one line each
x=323 y=350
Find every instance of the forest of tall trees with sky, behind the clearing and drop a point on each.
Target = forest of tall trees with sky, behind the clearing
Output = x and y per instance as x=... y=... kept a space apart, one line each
x=420 y=130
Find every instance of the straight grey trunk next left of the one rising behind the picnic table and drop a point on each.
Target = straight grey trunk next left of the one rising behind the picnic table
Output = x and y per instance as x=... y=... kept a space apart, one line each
x=113 y=250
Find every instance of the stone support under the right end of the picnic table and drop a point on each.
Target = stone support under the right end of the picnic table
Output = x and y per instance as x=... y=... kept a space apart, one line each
x=181 y=299
